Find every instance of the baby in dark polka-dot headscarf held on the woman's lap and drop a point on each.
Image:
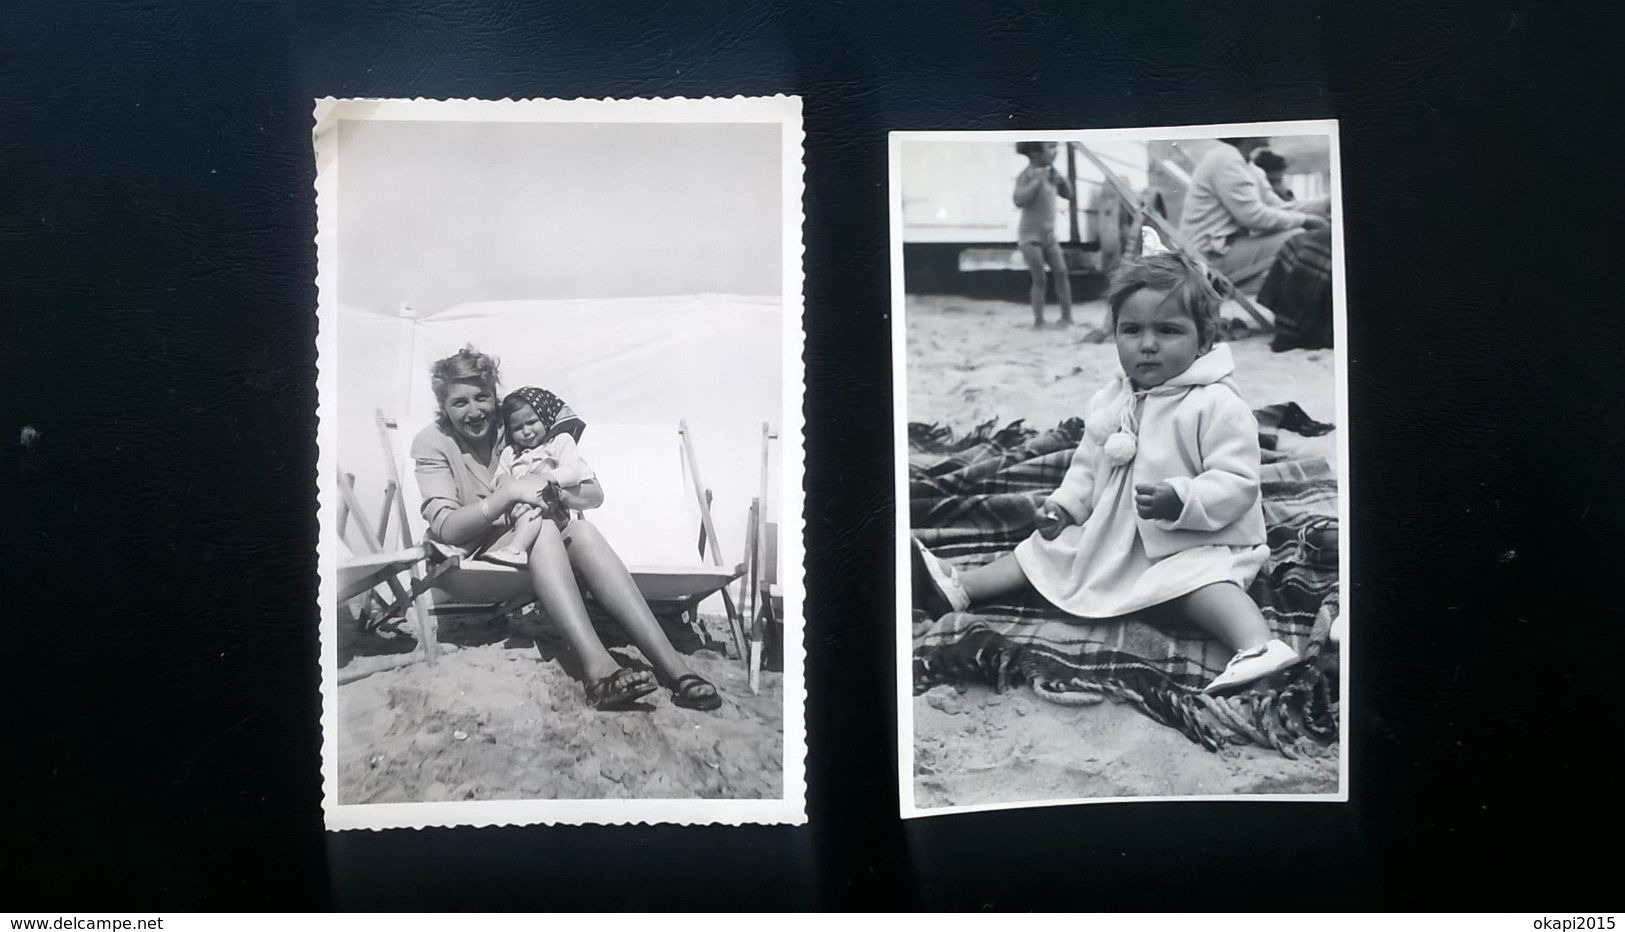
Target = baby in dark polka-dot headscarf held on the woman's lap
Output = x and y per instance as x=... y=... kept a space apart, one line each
x=542 y=434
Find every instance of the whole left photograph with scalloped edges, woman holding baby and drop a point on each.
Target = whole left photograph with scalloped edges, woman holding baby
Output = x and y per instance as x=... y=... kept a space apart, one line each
x=561 y=462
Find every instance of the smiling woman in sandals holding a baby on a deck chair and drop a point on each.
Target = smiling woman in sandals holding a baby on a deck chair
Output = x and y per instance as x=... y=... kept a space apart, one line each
x=466 y=506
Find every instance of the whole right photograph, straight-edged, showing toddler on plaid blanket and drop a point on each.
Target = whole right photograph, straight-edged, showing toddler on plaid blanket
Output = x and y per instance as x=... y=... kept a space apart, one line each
x=1122 y=457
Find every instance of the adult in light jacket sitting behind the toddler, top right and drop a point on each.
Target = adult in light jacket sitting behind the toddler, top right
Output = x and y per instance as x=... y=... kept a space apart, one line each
x=1229 y=220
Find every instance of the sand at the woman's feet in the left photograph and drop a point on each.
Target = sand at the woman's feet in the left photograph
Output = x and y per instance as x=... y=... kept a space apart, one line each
x=500 y=722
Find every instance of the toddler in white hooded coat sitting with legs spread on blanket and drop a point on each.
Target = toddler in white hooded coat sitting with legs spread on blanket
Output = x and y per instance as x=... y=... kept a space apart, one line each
x=1161 y=504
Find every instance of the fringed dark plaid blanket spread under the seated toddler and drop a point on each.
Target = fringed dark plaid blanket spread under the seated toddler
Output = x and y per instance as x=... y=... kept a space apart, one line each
x=974 y=499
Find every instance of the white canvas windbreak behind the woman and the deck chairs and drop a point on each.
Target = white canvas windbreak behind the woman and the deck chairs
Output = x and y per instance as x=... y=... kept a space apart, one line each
x=631 y=368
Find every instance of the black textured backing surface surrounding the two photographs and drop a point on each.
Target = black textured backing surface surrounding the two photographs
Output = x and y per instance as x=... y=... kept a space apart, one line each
x=157 y=597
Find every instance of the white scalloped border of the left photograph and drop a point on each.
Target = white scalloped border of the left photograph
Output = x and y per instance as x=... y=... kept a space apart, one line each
x=791 y=809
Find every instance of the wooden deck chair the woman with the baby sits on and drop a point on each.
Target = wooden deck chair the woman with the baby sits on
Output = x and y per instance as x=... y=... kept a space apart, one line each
x=454 y=585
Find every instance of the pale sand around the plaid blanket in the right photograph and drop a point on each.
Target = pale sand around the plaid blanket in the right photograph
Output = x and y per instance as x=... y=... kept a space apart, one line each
x=976 y=361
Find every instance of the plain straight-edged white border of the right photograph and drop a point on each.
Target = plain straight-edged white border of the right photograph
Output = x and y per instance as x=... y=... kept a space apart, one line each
x=906 y=733
